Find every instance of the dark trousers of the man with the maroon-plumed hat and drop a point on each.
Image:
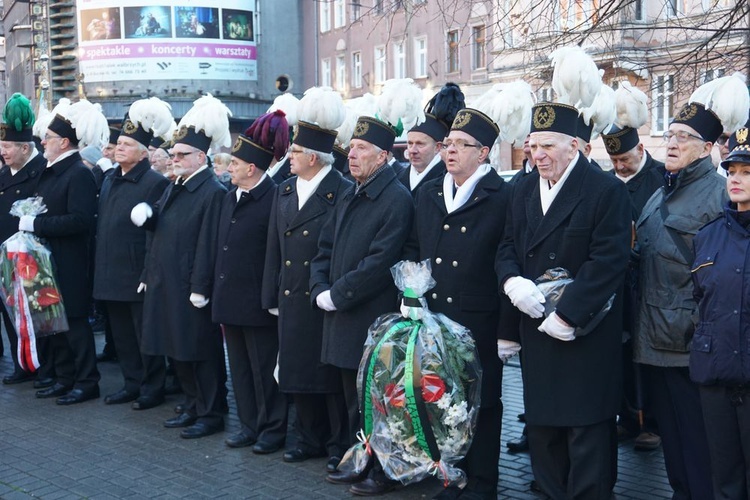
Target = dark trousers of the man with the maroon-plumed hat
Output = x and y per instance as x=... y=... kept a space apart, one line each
x=262 y=408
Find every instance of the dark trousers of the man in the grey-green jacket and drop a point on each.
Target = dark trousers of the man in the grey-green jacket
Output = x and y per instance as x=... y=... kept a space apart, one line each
x=677 y=409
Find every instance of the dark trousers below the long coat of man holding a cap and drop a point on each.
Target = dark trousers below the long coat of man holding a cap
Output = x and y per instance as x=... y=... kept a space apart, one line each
x=575 y=462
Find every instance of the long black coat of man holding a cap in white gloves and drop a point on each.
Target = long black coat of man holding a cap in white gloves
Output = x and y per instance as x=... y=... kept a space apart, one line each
x=586 y=231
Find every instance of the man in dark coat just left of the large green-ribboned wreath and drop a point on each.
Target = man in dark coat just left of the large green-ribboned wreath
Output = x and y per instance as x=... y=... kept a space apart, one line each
x=350 y=276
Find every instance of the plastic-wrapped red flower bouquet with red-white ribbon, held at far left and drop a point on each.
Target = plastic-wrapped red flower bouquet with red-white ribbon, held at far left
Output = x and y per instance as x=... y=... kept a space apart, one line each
x=28 y=286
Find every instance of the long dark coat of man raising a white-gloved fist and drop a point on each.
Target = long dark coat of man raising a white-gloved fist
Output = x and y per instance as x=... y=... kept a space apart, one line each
x=181 y=261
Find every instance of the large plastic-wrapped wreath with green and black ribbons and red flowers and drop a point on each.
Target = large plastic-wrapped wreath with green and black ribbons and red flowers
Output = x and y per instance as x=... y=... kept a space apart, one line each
x=419 y=387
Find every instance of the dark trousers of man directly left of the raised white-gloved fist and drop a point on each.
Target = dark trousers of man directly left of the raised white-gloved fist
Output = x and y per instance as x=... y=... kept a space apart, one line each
x=143 y=374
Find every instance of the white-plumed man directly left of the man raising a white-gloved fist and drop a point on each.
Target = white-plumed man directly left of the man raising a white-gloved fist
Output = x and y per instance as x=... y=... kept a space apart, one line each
x=121 y=251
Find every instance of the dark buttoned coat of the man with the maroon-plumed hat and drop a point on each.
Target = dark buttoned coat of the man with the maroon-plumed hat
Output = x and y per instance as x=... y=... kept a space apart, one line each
x=241 y=250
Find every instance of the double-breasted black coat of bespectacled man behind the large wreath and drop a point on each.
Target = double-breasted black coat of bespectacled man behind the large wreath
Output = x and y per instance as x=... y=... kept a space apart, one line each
x=462 y=247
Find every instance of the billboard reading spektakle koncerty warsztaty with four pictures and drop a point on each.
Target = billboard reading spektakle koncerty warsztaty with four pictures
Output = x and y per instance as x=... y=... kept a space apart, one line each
x=157 y=40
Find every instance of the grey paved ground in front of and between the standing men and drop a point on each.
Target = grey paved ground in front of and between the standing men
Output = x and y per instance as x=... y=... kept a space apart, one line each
x=97 y=451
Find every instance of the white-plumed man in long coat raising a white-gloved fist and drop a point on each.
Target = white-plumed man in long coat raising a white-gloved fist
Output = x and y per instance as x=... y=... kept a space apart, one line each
x=179 y=271
